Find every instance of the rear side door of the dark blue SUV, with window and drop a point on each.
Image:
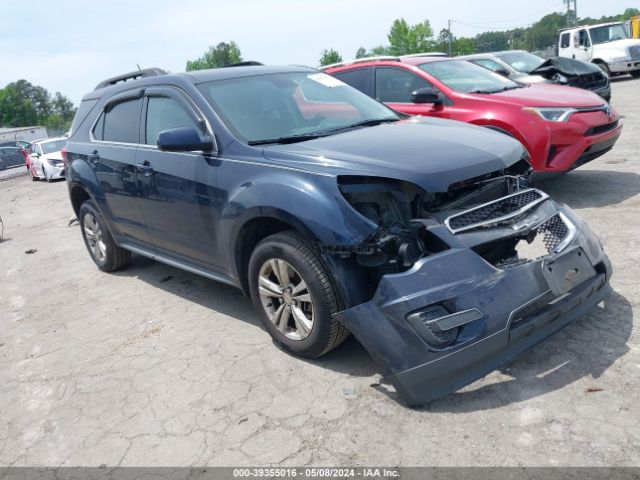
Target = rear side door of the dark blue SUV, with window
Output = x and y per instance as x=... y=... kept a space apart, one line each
x=111 y=153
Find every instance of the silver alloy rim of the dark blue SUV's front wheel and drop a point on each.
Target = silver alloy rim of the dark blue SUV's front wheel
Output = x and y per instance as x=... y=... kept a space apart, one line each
x=286 y=299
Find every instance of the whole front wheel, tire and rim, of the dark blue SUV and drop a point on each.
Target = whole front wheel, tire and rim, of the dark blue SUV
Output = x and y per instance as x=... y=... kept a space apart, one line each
x=317 y=299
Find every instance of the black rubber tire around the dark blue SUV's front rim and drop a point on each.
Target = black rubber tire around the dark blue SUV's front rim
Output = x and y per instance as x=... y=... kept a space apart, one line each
x=326 y=333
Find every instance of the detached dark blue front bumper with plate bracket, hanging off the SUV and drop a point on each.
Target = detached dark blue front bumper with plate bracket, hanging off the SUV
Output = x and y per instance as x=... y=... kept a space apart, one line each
x=456 y=316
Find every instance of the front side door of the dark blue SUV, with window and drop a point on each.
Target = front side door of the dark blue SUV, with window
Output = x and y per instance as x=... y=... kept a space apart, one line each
x=177 y=190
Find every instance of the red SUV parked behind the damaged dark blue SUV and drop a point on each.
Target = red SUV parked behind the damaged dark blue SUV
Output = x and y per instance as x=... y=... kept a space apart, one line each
x=561 y=127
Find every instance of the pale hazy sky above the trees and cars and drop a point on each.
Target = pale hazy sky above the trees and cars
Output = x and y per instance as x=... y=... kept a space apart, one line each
x=71 y=45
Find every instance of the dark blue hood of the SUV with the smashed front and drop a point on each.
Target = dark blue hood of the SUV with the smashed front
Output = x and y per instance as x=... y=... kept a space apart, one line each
x=428 y=152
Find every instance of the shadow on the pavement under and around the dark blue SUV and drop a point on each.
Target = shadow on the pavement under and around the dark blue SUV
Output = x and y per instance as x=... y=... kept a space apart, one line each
x=587 y=347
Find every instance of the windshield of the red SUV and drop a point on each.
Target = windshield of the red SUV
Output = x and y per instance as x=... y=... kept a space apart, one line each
x=467 y=77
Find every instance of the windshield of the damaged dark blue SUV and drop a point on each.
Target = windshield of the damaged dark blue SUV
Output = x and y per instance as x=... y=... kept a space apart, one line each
x=293 y=106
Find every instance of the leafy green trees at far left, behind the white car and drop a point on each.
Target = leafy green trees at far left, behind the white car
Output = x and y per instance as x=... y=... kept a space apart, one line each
x=23 y=104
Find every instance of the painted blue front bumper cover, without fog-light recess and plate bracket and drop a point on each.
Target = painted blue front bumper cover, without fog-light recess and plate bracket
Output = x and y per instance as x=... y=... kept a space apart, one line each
x=517 y=307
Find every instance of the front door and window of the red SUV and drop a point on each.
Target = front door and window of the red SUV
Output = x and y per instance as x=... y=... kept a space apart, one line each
x=393 y=86
